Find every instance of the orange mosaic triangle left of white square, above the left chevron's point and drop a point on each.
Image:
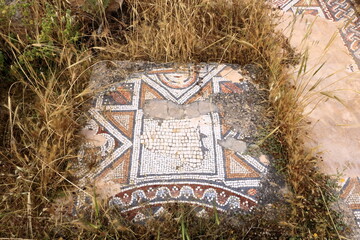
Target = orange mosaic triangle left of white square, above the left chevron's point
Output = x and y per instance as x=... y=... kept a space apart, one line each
x=124 y=121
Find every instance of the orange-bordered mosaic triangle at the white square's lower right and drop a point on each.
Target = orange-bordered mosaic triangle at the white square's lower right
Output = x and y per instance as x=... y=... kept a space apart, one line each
x=237 y=167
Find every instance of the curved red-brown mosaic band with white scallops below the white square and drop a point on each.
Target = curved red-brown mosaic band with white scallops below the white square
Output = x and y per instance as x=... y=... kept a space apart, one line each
x=203 y=195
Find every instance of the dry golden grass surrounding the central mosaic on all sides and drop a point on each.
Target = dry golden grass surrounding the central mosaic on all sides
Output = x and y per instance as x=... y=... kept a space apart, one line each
x=46 y=98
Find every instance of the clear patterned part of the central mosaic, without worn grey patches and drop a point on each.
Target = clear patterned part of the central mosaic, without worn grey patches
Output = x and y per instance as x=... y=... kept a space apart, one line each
x=193 y=169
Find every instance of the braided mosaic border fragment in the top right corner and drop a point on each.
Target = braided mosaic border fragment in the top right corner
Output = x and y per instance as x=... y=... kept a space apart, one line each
x=334 y=10
